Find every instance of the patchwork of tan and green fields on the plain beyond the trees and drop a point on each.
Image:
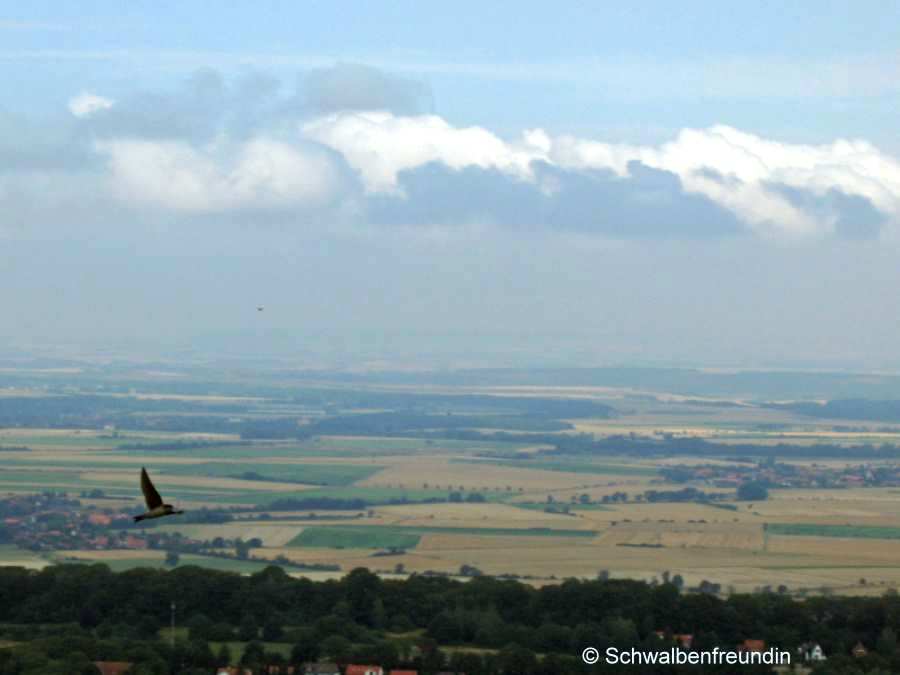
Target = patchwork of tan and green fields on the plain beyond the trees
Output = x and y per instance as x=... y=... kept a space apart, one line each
x=806 y=539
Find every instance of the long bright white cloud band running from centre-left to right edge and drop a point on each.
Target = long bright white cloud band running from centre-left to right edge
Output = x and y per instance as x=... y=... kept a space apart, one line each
x=737 y=170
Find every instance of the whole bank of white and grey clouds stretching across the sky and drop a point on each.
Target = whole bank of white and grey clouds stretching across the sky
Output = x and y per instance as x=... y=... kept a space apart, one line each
x=358 y=144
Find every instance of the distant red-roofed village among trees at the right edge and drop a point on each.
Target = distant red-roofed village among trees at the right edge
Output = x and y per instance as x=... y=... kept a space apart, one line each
x=780 y=475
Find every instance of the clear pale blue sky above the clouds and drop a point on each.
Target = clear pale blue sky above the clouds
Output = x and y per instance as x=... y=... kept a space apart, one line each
x=639 y=72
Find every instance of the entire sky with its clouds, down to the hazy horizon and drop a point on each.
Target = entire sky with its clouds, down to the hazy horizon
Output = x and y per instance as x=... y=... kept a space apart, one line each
x=470 y=184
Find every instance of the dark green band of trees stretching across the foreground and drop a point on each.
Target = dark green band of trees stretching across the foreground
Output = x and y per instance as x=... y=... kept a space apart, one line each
x=349 y=618
